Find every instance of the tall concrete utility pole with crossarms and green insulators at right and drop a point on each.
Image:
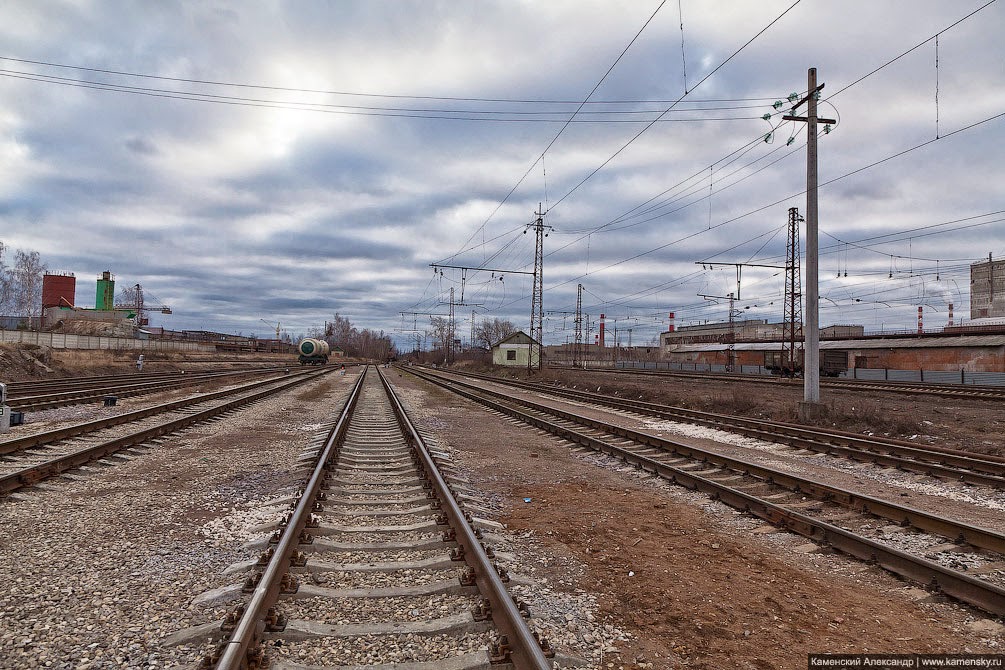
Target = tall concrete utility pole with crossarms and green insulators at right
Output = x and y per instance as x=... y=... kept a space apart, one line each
x=812 y=346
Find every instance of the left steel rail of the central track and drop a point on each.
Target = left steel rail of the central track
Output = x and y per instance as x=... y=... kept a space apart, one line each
x=248 y=632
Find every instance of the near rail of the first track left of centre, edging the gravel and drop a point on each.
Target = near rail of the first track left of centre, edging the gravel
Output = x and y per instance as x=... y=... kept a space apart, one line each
x=32 y=476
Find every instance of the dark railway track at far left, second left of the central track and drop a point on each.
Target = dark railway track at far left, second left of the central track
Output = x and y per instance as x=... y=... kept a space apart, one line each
x=37 y=396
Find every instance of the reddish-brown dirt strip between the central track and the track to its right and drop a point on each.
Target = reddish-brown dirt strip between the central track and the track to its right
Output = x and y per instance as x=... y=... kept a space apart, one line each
x=697 y=584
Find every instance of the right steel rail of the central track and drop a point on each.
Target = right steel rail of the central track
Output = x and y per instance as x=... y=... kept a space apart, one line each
x=527 y=653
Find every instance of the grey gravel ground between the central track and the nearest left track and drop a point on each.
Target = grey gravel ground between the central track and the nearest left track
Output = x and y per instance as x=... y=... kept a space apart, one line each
x=101 y=567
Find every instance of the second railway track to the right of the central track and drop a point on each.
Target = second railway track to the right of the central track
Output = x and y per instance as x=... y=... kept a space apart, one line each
x=942 y=463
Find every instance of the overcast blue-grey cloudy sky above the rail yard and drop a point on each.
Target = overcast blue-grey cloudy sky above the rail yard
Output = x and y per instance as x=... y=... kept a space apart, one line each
x=286 y=161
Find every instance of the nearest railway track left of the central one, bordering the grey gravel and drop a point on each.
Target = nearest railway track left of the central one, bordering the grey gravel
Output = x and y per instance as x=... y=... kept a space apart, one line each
x=28 y=461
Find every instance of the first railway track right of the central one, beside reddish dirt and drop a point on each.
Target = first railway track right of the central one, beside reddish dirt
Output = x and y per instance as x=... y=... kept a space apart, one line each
x=913 y=544
